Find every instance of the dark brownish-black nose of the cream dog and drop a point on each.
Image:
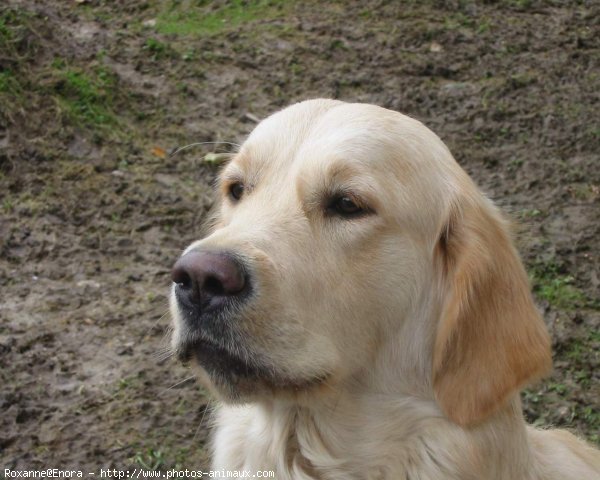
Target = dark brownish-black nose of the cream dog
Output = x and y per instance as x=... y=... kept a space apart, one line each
x=206 y=278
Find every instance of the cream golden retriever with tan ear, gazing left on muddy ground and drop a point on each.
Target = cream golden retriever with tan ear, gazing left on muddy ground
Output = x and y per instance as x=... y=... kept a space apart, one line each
x=360 y=312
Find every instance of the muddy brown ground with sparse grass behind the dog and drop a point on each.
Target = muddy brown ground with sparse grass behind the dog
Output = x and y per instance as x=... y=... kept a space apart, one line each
x=93 y=213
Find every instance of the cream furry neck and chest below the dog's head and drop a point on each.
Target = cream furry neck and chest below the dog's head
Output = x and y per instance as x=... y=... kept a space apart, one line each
x=352 y=435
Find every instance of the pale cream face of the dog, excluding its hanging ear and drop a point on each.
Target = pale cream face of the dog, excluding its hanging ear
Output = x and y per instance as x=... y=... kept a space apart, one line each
x=333 y=228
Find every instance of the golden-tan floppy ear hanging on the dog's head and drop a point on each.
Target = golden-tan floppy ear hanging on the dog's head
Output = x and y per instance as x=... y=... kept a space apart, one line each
x=490 y=340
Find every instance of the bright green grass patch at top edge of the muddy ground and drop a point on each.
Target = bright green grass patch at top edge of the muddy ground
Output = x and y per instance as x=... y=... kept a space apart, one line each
x=205 y=21
